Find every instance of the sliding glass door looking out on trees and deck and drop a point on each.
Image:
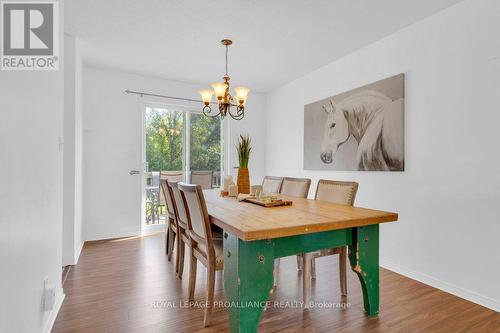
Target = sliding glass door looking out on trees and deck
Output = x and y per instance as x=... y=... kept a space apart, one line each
x=179 y=145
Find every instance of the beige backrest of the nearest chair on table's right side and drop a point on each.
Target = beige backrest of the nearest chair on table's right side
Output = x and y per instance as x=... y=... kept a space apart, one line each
x=342 y=193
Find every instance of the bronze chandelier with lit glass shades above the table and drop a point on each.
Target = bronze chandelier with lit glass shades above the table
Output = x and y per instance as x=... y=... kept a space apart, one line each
x=233 y=106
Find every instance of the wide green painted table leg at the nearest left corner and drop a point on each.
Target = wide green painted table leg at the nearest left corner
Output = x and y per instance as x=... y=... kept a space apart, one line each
x=248 y=280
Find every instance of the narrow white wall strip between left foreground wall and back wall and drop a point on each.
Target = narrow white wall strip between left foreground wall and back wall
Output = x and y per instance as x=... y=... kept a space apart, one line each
x=72 y=178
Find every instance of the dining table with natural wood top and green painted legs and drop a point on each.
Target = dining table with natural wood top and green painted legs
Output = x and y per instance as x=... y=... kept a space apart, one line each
x=254 y=236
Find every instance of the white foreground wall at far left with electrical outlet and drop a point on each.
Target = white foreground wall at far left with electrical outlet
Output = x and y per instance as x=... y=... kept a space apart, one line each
x=31 y=122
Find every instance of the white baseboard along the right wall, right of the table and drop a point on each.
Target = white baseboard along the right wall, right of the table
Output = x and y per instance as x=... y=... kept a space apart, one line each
x=471 y=296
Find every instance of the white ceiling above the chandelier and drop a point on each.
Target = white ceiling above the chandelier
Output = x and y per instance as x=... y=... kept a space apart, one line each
x=275 y=41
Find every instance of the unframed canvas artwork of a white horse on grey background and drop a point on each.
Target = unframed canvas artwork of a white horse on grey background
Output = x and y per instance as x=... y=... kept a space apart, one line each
x=358 y=130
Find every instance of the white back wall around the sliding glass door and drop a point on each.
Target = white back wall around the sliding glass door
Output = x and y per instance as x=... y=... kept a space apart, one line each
x=113 y=142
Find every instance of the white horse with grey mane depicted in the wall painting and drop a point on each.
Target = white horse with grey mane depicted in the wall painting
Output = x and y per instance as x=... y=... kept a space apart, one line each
x=375 y=121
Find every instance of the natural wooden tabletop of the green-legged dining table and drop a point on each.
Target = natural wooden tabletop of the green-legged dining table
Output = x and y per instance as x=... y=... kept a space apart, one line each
x=253 y=222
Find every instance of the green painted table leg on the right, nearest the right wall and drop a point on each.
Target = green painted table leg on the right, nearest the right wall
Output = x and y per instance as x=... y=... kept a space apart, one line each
x=363 y=255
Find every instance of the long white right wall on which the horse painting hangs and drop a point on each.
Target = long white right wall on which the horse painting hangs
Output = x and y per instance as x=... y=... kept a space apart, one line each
x=447 y=235
